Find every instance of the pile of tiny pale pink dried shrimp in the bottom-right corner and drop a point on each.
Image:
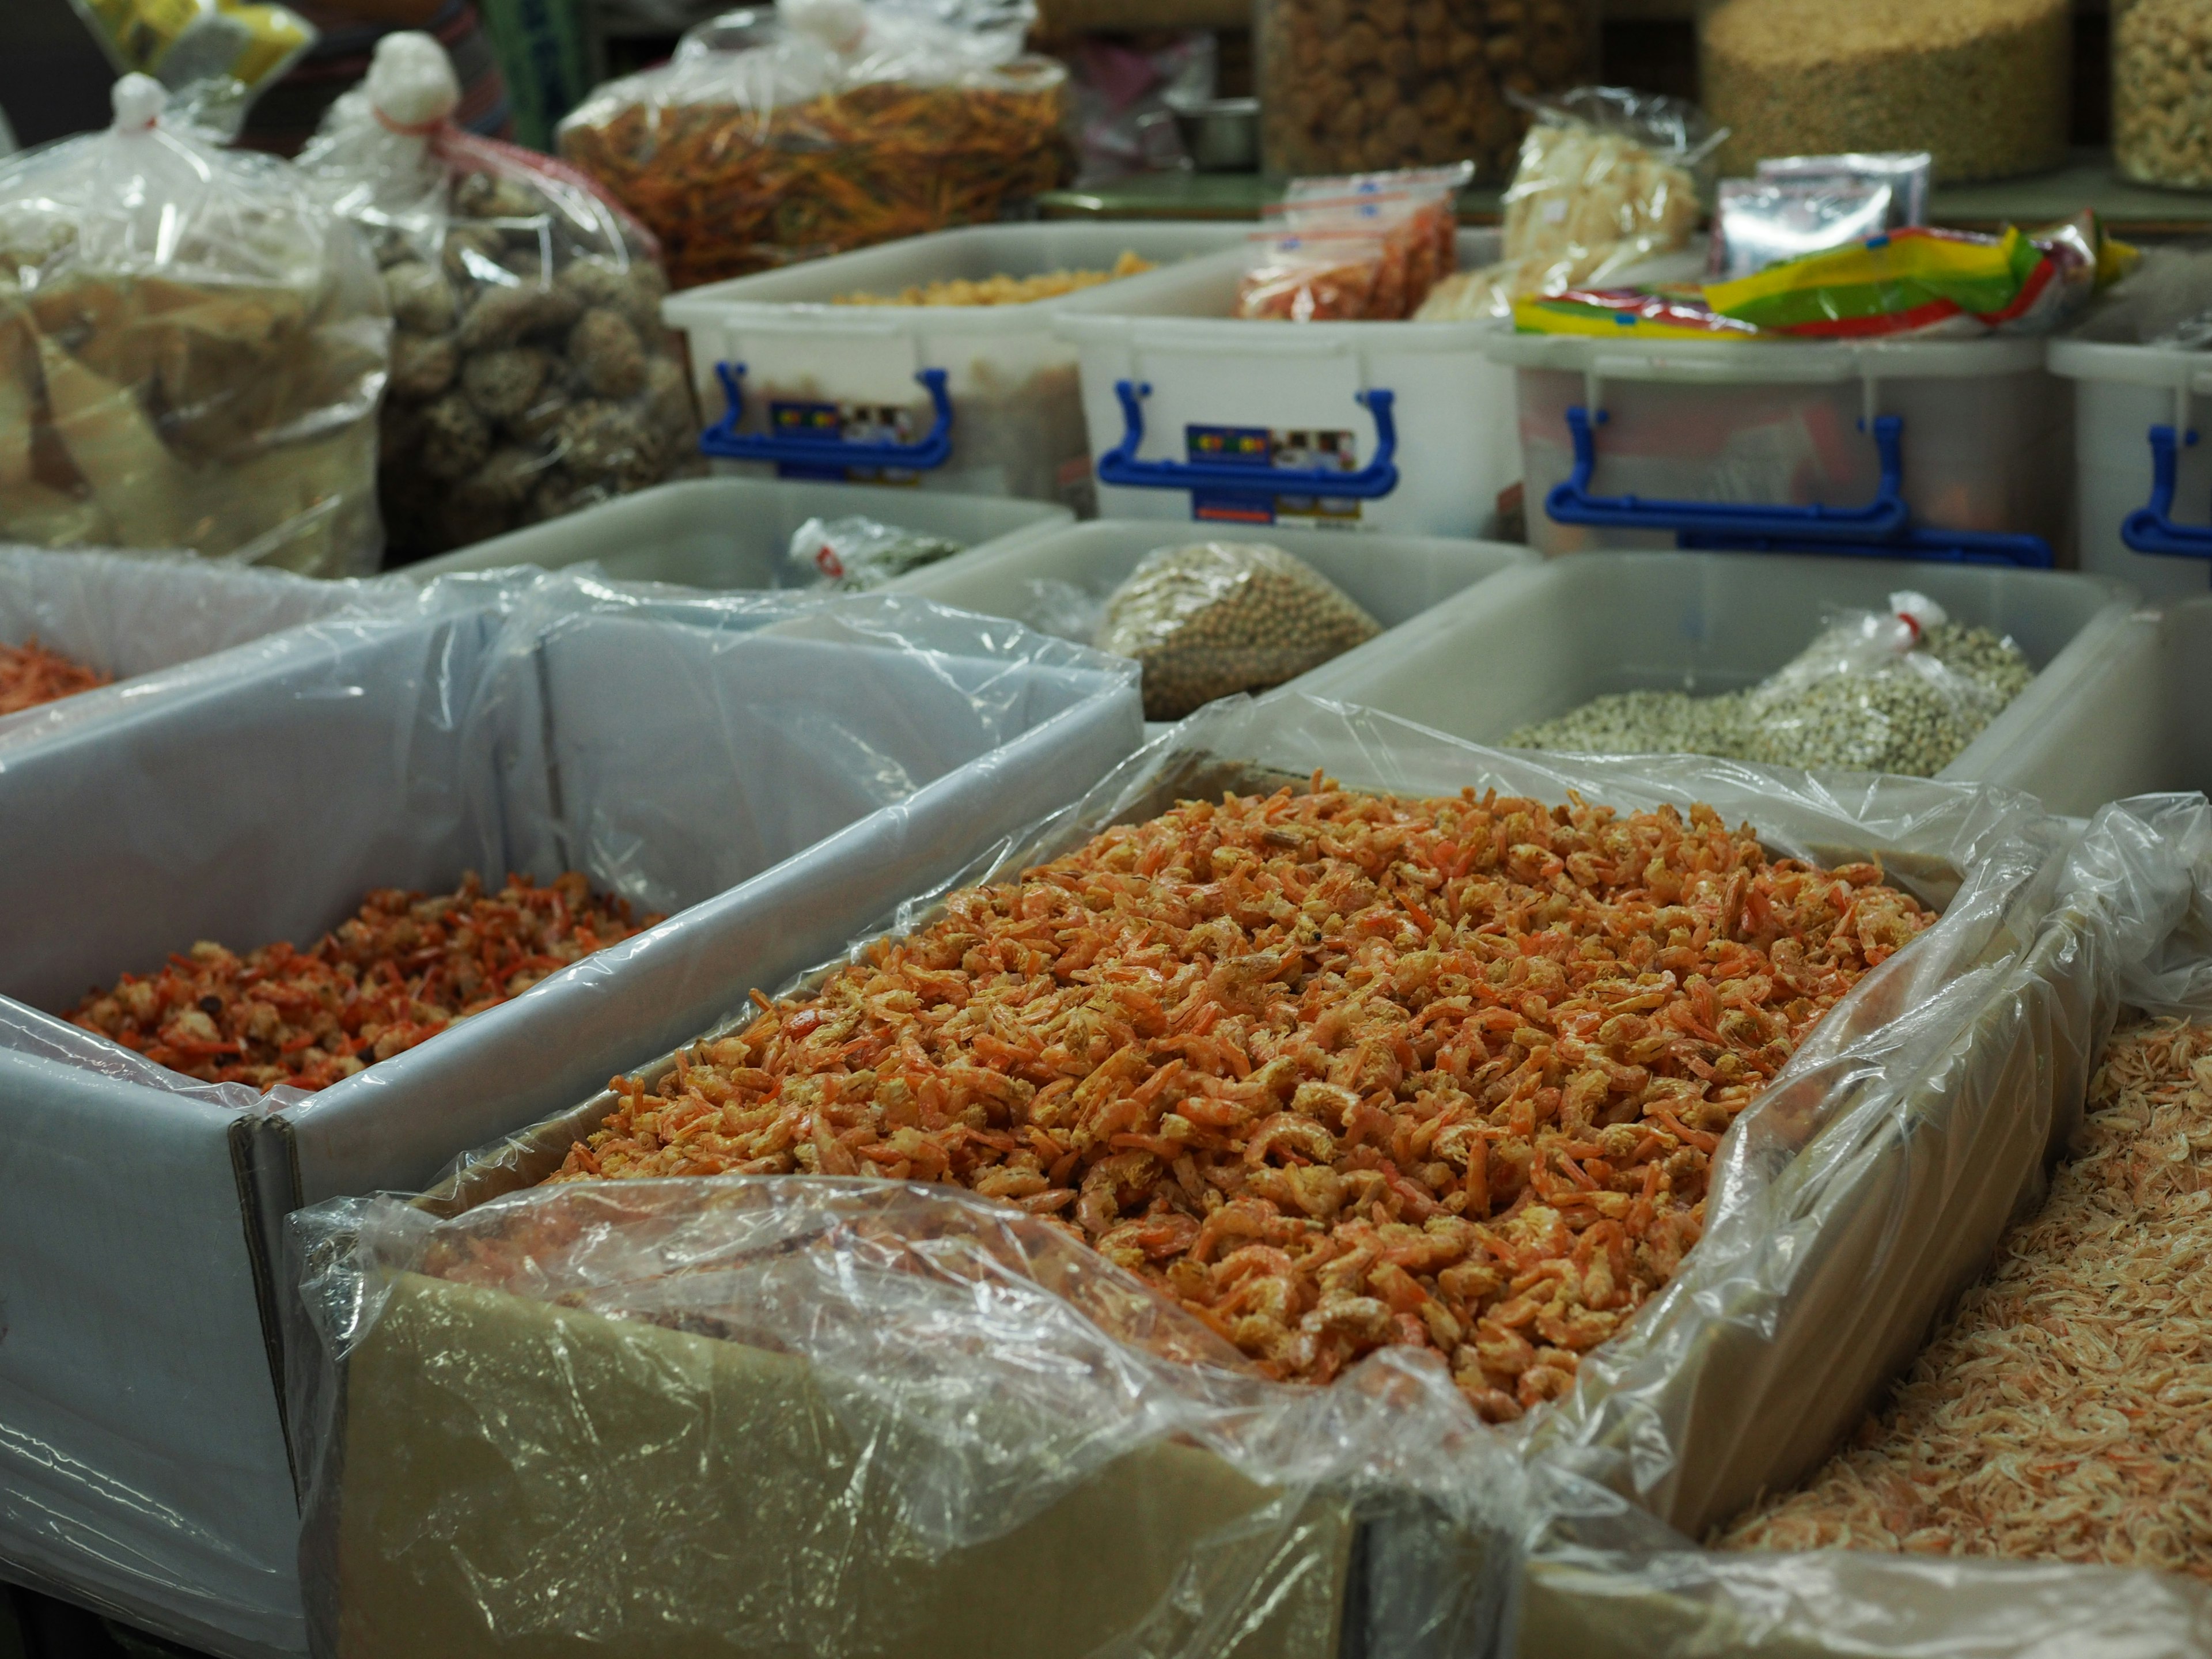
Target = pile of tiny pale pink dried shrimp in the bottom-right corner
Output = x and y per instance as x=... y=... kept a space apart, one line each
x=2067 y=1410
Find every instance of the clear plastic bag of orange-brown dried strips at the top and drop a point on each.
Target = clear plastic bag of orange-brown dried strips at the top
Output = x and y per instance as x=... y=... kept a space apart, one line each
x=828 y=125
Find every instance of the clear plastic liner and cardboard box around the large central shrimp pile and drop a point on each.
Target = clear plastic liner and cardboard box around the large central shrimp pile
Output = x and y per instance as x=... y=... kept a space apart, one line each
x=959 y=1392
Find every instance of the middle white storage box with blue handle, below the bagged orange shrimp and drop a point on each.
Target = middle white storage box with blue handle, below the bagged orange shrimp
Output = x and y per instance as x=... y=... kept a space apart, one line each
x=1200 y=415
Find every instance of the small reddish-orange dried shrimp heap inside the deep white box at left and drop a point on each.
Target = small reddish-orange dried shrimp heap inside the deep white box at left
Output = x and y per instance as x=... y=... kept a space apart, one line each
x=393 y=977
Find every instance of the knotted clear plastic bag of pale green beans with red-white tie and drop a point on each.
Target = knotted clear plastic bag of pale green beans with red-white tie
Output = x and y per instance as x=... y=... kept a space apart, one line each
x=1884 y=693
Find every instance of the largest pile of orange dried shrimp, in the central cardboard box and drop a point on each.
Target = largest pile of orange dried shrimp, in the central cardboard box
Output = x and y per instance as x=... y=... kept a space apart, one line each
x=1331 y=1070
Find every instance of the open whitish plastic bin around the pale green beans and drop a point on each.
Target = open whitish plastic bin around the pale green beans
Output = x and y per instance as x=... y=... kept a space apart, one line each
x=1538 y=643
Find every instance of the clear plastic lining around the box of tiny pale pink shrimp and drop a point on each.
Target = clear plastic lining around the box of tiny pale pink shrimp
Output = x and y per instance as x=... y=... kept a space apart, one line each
x=1611 y=1578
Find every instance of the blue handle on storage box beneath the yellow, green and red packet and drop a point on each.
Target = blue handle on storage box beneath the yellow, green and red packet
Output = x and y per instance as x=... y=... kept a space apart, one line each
x=1877 y=530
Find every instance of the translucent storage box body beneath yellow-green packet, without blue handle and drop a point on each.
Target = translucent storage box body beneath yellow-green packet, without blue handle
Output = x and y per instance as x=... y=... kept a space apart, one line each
x=1985 y=435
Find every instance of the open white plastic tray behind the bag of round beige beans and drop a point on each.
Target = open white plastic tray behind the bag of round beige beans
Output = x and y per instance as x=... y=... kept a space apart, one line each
x=1395 y=578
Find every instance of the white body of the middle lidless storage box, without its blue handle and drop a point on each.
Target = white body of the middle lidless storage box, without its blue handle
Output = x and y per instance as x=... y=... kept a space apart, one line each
x=1209 y=368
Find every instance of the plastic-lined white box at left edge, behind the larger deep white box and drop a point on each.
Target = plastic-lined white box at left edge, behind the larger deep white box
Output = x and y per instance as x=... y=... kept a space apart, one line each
x=154 y=620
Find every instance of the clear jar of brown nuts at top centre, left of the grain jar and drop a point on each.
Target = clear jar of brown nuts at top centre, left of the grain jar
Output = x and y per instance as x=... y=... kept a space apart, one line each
x=1361 y=85
